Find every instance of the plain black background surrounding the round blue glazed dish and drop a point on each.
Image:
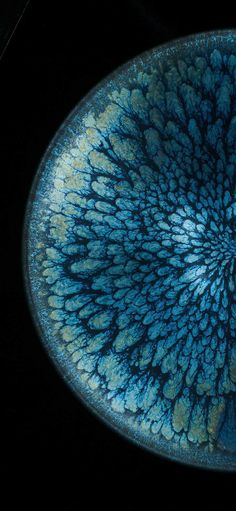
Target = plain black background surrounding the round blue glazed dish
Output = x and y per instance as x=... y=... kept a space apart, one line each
x=58 y=52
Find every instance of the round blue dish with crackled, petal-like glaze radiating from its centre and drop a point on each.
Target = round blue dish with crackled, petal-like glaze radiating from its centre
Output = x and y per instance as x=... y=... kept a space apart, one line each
x=131 y=250
